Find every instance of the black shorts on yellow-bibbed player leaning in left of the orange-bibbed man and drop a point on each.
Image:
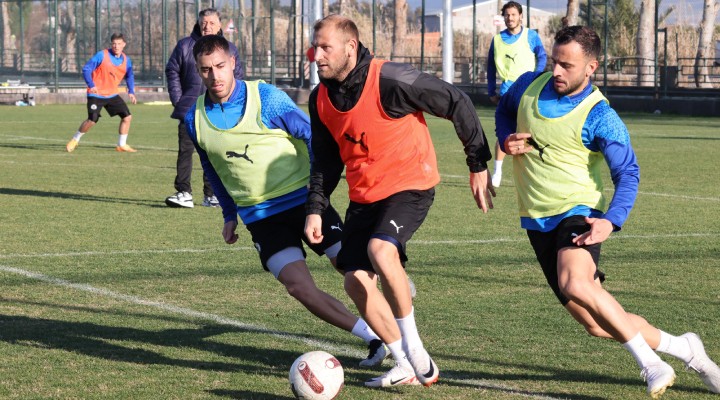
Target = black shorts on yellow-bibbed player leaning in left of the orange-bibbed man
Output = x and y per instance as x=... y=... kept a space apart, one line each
x=287 y=229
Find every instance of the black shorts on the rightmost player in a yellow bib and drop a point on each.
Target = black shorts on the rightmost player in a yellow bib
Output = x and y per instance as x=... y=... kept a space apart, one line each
x=548 y=244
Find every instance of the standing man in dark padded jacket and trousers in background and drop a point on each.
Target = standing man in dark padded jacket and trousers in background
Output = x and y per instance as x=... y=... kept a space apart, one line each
x=184 y=86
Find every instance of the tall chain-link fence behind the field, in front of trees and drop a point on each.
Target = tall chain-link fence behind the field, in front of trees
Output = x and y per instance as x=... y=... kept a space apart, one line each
x=46 y=43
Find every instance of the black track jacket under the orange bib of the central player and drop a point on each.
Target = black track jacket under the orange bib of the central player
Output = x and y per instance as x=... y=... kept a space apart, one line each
x=403 y=90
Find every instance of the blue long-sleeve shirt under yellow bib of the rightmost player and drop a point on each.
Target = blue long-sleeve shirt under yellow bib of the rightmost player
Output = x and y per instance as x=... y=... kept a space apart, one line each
x=603 y=131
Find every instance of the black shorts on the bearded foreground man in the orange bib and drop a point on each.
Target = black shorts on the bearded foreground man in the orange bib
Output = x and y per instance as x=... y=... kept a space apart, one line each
x=394 y=219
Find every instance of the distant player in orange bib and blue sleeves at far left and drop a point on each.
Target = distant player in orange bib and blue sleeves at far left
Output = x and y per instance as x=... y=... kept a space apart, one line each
x=103 y=74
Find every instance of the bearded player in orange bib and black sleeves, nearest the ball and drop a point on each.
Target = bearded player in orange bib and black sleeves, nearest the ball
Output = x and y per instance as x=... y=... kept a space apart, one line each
x=367 y=117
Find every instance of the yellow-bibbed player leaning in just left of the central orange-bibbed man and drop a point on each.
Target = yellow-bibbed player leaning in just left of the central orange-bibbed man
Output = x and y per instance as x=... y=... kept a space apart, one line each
x=253 y=144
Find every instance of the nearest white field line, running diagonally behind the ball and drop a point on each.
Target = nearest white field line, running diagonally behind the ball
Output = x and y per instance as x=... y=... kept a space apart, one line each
x=187 y=312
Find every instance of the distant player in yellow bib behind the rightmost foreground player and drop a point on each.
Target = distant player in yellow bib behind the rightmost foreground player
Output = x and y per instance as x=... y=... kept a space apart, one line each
x=513 y=52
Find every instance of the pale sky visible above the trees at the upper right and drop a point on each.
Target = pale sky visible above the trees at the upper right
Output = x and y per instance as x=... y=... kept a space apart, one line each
x=688 y=11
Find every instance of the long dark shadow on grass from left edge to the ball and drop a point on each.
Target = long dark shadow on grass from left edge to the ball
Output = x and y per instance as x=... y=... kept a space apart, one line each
x=107 y=342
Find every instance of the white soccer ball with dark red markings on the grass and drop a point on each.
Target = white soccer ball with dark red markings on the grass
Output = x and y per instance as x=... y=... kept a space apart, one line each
x=316 y=375
